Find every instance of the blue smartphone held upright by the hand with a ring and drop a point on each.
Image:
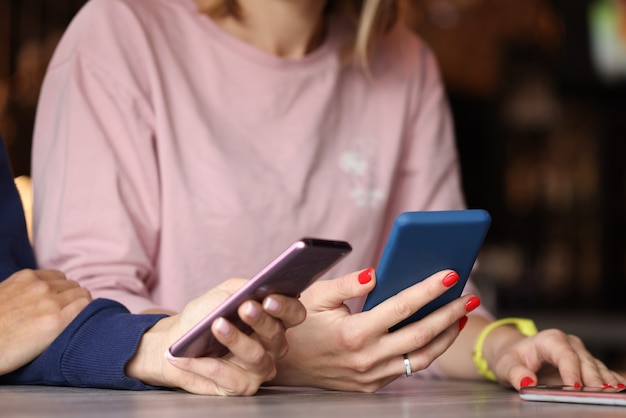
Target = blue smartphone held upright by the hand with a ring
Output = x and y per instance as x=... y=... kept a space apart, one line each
x=423 y=243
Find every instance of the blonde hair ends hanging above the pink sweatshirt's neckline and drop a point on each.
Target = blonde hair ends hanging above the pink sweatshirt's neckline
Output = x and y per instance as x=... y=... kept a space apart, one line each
x=371 y=20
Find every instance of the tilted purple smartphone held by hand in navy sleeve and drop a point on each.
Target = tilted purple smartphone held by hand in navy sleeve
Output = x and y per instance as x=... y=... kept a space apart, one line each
x=289 y=274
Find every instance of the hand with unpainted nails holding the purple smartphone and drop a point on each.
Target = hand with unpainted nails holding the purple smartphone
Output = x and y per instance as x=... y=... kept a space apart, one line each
x=251 y=361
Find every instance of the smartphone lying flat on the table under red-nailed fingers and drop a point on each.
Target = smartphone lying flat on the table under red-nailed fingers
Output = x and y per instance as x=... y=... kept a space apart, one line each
x=571 y=394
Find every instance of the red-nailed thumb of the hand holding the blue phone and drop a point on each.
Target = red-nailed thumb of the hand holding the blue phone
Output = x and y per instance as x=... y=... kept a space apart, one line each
x=331 y=294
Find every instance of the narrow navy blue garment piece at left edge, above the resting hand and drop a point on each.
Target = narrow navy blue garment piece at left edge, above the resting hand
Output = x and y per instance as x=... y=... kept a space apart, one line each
x=15 y=250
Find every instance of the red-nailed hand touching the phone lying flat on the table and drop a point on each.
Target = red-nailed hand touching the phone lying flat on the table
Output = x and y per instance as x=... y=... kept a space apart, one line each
x=526 y=361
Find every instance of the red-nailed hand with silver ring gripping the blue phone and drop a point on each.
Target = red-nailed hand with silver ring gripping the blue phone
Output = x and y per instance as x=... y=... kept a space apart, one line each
x=335 y=349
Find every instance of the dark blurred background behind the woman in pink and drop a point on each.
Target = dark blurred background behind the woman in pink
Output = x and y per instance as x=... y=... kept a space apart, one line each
x=538 y=94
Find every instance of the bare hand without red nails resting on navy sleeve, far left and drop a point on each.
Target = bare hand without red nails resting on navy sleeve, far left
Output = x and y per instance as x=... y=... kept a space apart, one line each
x=35 y=307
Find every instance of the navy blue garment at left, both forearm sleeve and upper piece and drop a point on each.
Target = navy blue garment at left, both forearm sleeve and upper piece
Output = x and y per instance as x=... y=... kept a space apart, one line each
x=94 y=349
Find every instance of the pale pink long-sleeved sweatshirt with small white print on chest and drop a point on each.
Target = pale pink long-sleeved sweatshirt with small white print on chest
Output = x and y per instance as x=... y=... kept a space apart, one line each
x=170 y=156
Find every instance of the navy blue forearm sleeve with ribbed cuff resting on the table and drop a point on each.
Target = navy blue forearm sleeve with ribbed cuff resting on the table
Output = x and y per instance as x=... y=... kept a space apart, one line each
x=91 y=352
